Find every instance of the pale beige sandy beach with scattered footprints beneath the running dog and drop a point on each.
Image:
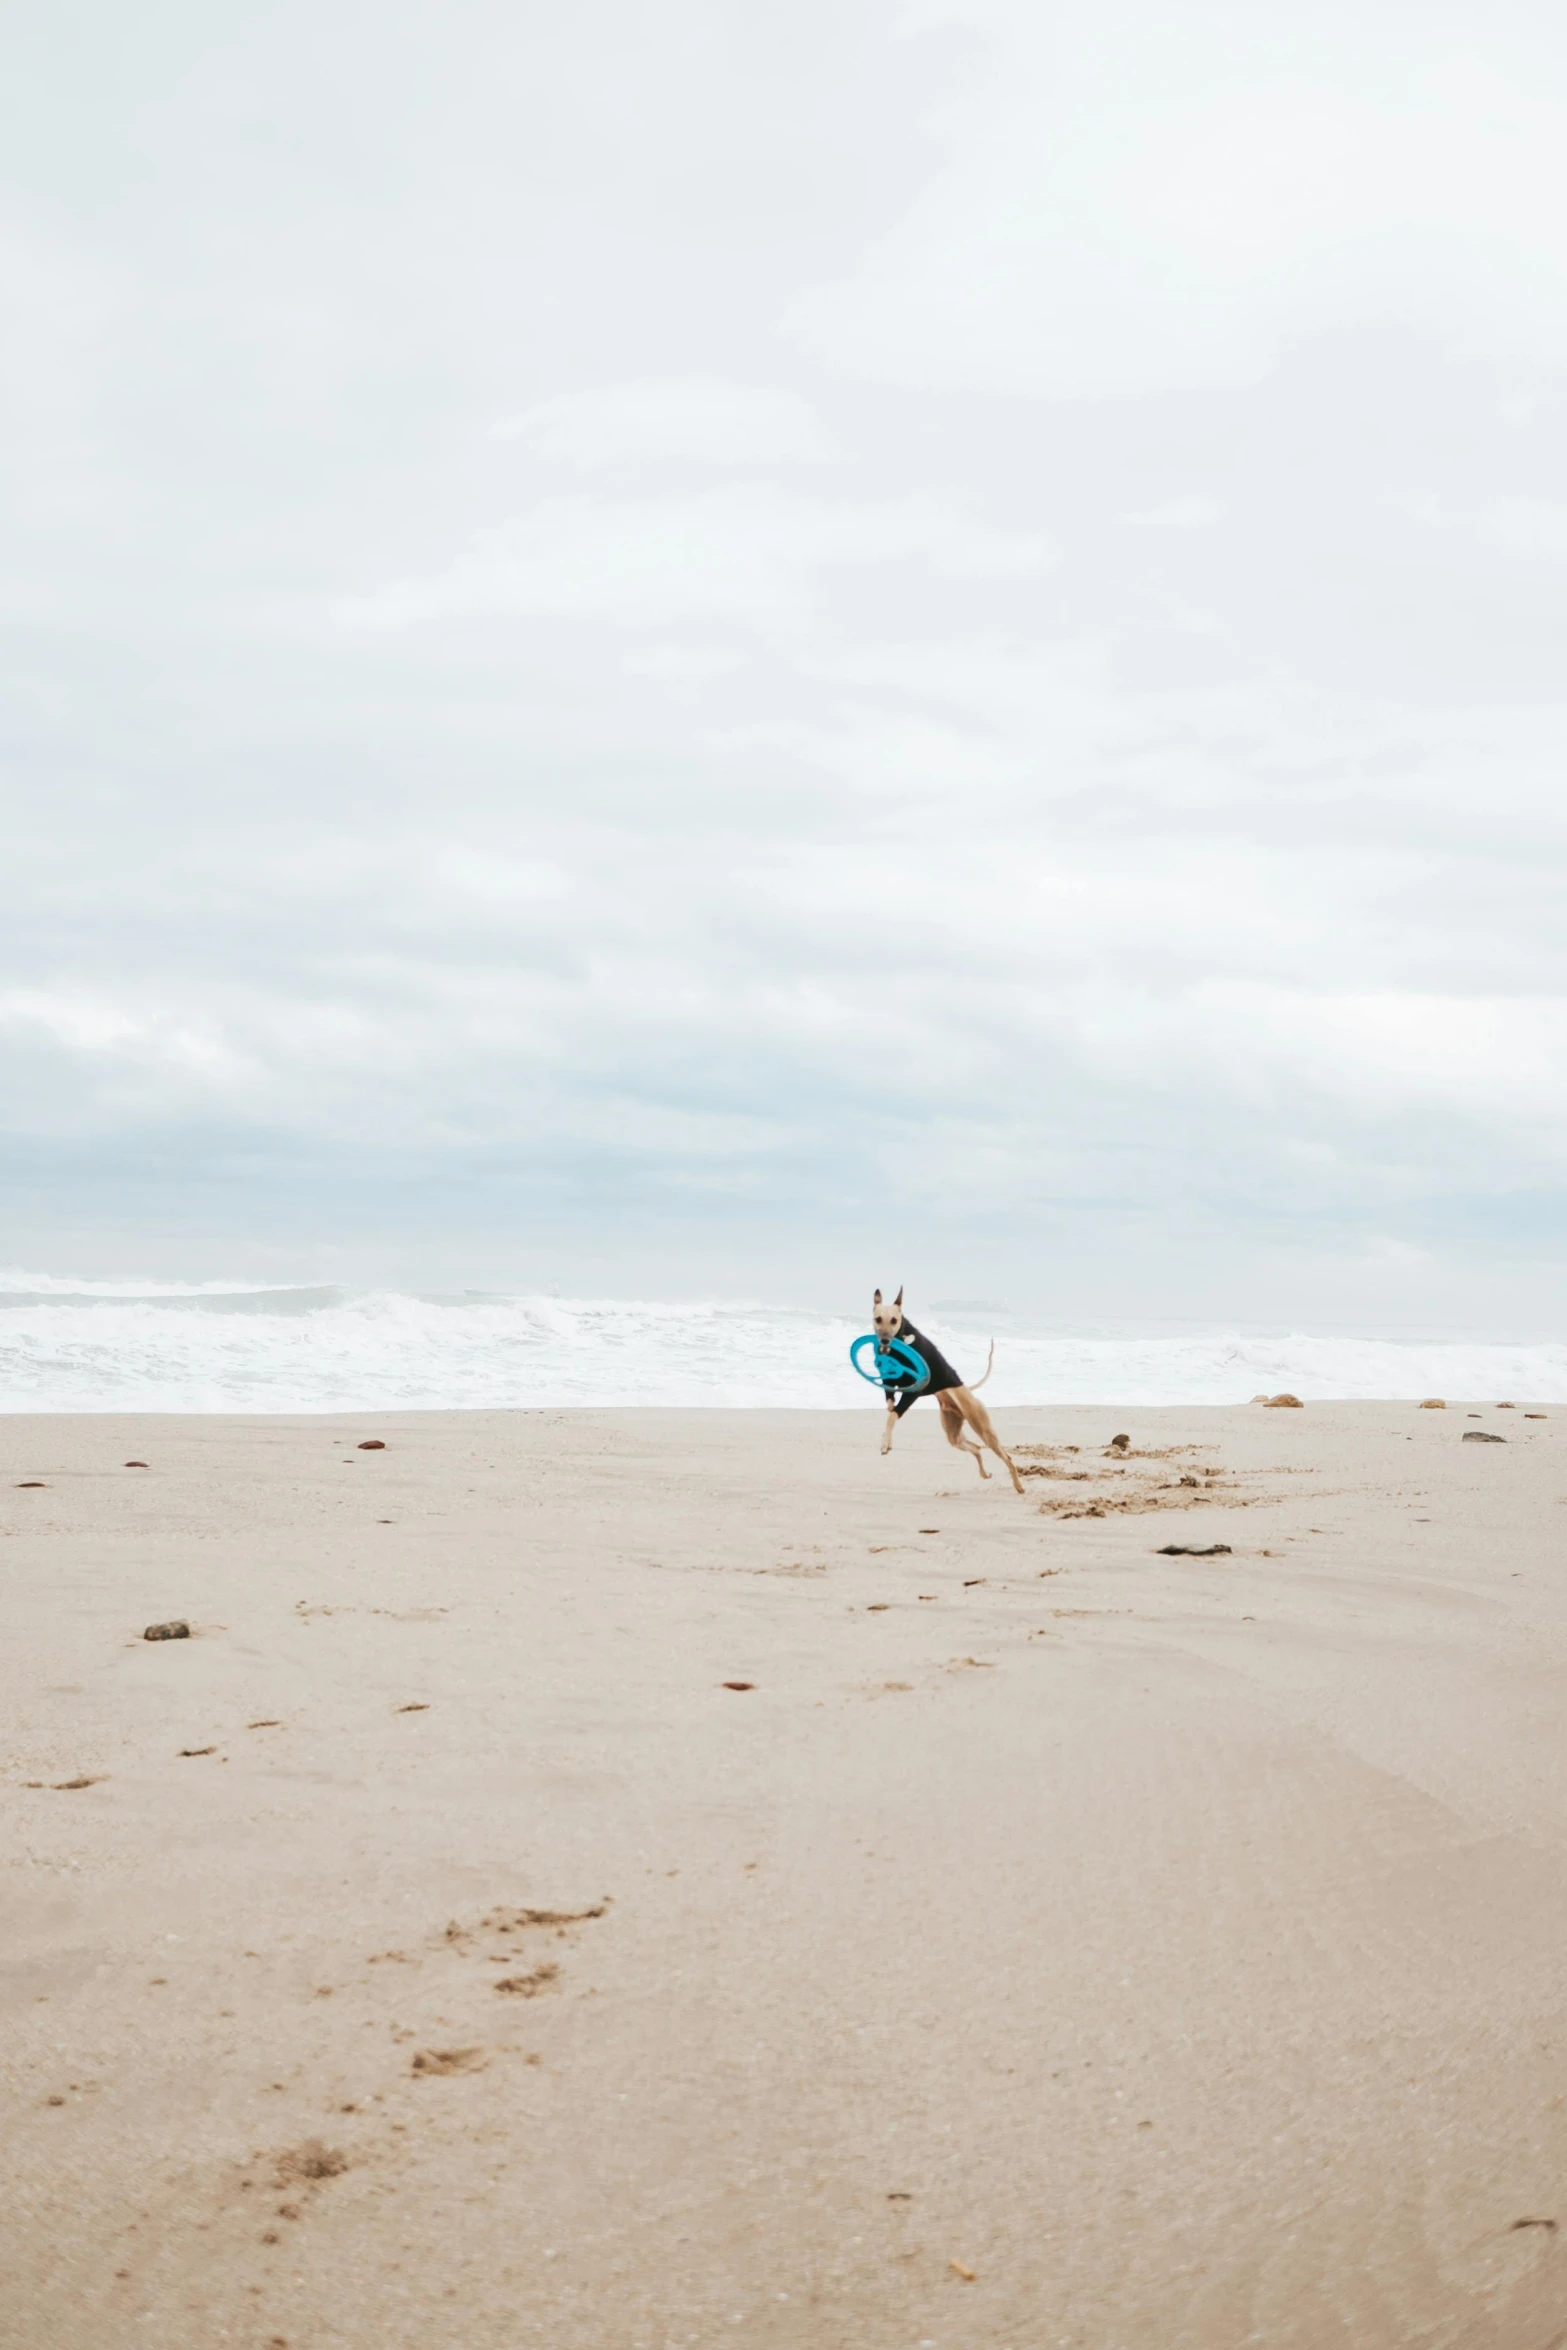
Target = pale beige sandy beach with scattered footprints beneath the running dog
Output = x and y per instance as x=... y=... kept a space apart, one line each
x=1176 y=1945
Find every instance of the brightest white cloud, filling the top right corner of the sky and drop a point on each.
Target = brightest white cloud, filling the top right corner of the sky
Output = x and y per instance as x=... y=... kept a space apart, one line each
x=1136 y=201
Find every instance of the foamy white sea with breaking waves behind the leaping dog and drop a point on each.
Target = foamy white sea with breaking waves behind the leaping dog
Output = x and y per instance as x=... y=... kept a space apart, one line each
x=246 y=1348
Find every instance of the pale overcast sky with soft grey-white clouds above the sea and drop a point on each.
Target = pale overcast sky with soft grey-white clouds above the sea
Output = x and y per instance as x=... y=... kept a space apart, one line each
x=680 y=650
